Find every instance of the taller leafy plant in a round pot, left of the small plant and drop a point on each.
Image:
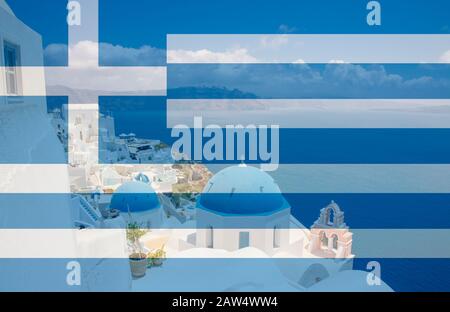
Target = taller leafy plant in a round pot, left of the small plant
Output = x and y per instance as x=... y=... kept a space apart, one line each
x=138 y=259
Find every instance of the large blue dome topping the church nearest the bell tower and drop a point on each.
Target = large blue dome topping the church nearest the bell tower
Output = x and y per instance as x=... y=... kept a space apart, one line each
x=242 y=190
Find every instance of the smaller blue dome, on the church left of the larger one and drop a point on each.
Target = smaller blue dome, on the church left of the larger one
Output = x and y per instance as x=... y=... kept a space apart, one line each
x=135 y=196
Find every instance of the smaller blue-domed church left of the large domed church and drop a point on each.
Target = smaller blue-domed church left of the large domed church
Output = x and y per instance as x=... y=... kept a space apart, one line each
x=138 y=202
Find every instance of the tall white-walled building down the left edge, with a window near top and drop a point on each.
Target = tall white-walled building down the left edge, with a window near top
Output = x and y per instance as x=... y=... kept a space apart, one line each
x=36 y=259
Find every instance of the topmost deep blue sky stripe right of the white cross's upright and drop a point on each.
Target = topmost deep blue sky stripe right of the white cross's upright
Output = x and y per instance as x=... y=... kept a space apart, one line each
x=148 y=22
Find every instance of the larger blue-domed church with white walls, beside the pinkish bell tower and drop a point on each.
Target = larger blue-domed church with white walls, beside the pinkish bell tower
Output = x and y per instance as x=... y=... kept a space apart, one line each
x=242 y=206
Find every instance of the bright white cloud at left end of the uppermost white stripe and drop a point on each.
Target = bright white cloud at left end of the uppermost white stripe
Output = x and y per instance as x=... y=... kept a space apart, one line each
x=207 y=56
